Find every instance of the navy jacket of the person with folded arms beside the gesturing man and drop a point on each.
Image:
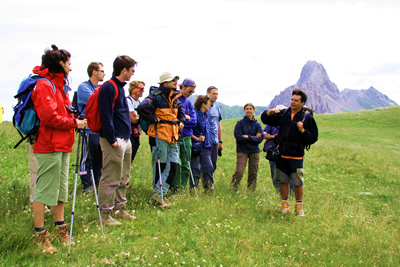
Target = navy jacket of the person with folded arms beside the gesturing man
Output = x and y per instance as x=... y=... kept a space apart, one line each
x=248 y=127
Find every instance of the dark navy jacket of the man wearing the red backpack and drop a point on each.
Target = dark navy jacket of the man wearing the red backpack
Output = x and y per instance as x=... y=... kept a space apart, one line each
x=117 y=123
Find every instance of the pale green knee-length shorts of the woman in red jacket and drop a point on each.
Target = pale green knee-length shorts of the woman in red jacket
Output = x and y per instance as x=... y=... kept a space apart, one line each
x=52 y=178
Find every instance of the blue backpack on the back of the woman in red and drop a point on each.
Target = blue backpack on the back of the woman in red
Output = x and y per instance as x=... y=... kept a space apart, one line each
x=25 y=119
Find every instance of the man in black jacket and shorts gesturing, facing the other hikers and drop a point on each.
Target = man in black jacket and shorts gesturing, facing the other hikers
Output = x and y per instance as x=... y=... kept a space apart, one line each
x=297 y=130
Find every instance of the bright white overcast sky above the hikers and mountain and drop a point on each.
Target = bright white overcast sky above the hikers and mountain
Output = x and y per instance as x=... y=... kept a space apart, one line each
x=250 y=49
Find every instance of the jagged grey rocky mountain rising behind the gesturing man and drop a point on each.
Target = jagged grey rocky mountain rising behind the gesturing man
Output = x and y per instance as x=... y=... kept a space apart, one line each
x=324 y=96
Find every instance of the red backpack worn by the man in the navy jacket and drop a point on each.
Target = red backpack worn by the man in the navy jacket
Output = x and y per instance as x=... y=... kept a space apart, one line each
x=92 y=113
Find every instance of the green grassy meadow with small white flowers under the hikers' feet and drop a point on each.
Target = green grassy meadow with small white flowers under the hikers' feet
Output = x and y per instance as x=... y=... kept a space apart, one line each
x=351 y=201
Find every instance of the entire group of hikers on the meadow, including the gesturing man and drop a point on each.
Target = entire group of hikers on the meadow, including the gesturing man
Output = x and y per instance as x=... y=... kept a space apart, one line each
x=185 y=140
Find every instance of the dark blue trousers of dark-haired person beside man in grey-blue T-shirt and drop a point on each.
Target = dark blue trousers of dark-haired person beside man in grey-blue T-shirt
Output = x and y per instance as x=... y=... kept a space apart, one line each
x=202 y=164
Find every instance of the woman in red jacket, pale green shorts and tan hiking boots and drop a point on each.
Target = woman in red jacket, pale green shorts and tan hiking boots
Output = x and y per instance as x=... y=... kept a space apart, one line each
x=53 y=143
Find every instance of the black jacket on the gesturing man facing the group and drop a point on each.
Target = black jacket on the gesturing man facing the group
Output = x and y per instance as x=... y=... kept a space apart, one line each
x=293 y=142
